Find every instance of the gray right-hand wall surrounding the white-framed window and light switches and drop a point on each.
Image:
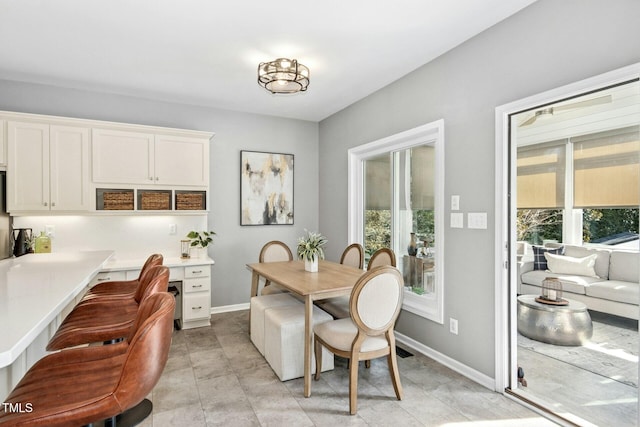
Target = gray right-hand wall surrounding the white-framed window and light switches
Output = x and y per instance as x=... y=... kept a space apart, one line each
x=549 y=44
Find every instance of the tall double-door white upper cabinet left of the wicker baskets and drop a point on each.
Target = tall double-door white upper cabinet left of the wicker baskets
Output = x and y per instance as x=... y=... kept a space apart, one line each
x=48 y=167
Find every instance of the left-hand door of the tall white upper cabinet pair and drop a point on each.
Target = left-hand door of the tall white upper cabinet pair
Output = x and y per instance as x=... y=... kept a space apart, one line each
x=28 y=174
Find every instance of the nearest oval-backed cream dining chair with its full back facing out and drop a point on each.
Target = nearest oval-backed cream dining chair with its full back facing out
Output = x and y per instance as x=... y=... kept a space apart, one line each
x=375 y=303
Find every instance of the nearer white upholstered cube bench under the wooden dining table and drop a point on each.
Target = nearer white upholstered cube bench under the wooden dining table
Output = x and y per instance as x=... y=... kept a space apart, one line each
x=284 y=340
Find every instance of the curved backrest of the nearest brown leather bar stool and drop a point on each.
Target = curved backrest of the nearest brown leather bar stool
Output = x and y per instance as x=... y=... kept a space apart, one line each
x=148 y=349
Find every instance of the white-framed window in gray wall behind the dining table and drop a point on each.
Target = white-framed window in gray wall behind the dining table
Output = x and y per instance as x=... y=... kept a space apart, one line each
x=395 y=189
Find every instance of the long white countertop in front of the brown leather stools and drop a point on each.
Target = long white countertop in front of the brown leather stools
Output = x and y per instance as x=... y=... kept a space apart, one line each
x=34 y=289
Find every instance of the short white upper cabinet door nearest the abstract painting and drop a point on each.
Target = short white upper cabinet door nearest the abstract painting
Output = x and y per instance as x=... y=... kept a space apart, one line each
x=181 y=161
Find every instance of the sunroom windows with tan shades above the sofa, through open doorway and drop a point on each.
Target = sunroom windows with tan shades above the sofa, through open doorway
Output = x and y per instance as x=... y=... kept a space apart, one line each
x=583 y=186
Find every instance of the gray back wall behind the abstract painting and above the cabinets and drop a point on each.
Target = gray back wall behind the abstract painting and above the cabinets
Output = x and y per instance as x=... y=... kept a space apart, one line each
x=235 y=245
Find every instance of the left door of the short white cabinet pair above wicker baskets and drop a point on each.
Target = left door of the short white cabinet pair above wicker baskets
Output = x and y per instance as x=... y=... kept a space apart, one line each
x=122 y=157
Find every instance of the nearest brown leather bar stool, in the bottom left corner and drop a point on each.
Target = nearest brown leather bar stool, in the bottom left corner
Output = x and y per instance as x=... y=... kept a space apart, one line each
x=84 y=385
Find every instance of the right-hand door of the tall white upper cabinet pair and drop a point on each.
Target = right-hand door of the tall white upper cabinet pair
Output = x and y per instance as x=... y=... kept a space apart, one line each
x=69 y=162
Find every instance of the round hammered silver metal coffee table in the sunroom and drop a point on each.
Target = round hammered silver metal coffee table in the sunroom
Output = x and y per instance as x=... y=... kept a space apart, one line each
x=554 y=324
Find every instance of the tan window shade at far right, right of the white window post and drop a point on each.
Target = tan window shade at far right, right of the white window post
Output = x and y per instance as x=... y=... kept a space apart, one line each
x=607 y=169
